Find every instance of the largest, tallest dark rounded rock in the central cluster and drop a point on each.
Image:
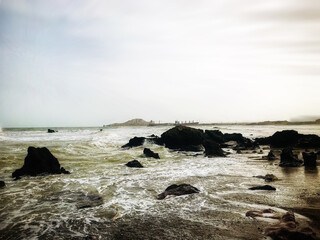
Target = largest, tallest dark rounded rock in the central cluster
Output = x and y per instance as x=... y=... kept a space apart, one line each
x=183 y=138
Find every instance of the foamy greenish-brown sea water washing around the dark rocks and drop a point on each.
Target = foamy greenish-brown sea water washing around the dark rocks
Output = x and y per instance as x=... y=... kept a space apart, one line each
x=45 y=207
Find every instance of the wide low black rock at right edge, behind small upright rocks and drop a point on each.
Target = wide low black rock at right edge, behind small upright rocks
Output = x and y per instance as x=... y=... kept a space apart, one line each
x=290 y=138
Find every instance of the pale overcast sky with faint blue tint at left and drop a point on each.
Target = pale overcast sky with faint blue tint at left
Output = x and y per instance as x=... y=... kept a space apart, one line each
x=89 y=63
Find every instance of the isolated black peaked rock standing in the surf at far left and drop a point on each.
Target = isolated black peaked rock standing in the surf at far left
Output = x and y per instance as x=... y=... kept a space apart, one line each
x=39 y=161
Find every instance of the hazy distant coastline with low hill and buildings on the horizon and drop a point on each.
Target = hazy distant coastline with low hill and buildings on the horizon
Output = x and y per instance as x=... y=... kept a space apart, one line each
x=141 y=122
